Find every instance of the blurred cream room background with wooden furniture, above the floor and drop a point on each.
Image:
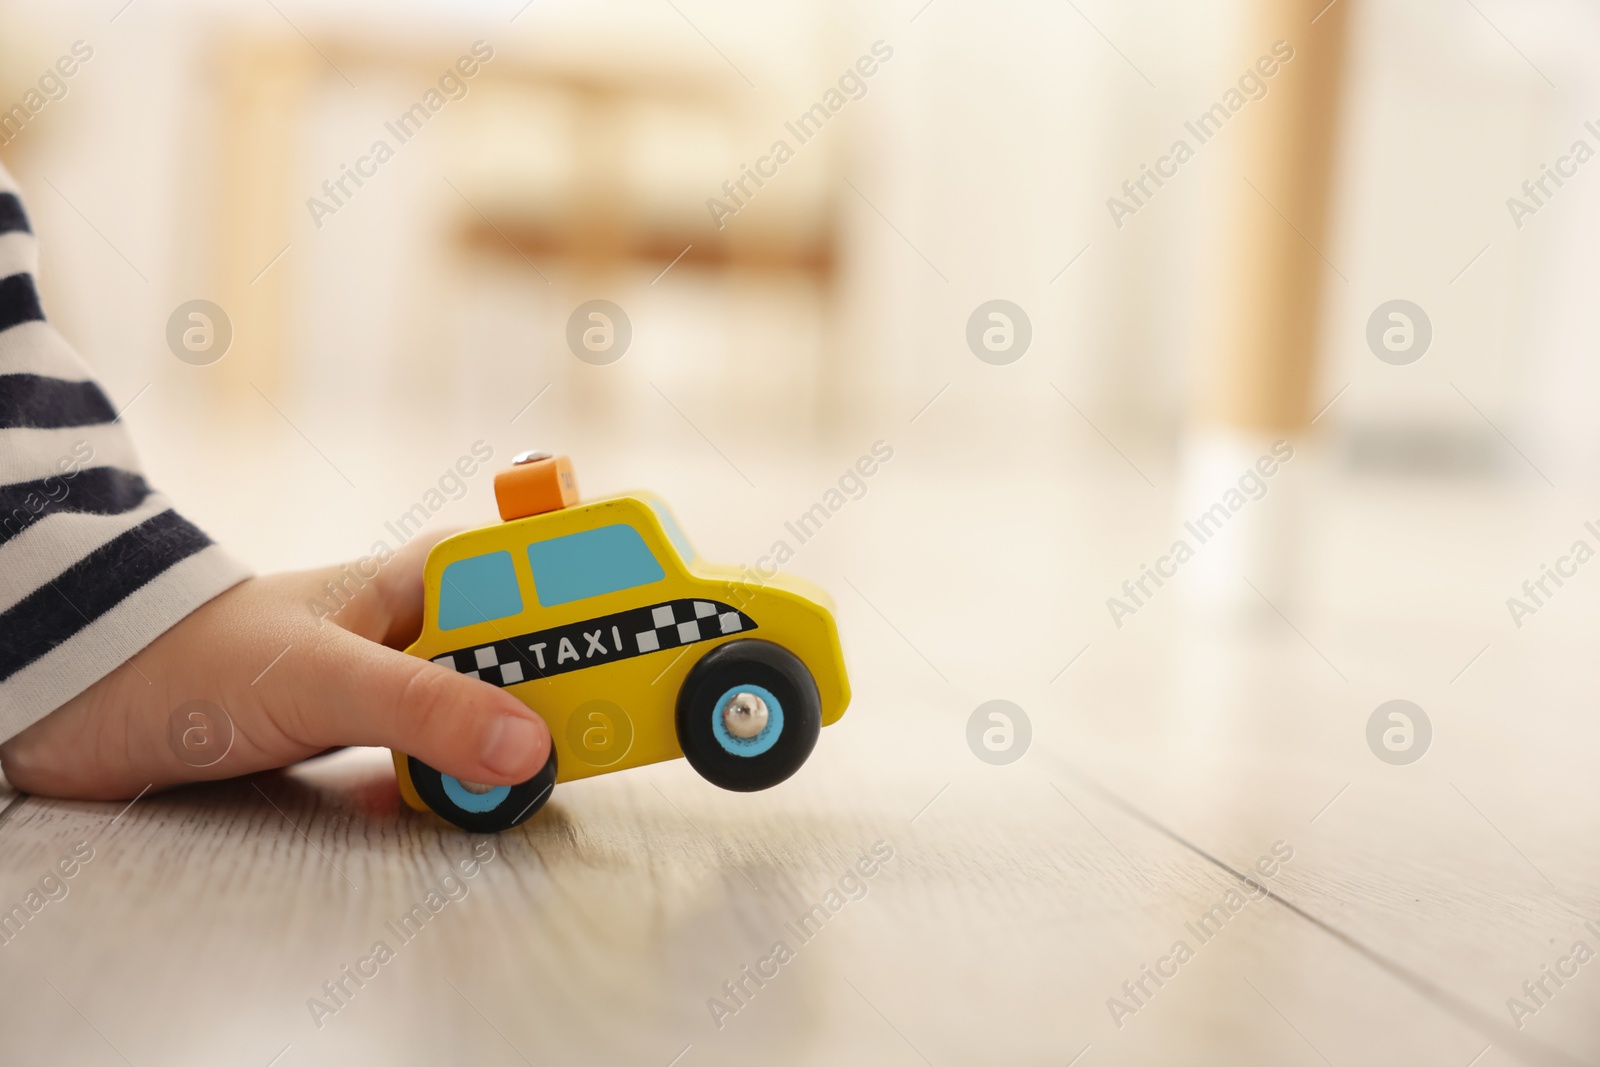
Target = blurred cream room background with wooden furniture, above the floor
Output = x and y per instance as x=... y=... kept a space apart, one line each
x=377 y=343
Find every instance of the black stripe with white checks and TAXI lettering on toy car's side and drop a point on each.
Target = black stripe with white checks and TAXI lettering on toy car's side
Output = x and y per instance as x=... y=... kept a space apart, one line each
x=594 y=642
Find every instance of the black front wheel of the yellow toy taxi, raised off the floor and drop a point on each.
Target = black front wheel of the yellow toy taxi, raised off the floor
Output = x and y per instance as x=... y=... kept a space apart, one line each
x=748 y=716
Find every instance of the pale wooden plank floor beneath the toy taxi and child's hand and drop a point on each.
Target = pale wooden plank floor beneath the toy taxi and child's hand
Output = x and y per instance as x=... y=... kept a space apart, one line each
x=1167 y=759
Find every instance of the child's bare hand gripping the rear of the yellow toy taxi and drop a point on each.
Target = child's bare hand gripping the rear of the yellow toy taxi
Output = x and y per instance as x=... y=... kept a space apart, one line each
x=337 y=685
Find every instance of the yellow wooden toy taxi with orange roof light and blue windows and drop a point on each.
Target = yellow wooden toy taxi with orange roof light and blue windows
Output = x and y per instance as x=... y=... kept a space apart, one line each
x=602 y=620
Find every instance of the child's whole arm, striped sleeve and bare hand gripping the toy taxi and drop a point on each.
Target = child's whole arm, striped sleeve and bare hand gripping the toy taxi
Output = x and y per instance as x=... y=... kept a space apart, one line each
x=114 y=610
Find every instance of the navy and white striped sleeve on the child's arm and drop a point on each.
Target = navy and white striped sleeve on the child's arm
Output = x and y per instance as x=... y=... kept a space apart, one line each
x=94 y=562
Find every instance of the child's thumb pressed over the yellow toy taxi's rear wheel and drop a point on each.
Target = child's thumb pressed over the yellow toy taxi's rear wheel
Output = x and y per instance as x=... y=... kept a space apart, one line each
x=359 y=693
